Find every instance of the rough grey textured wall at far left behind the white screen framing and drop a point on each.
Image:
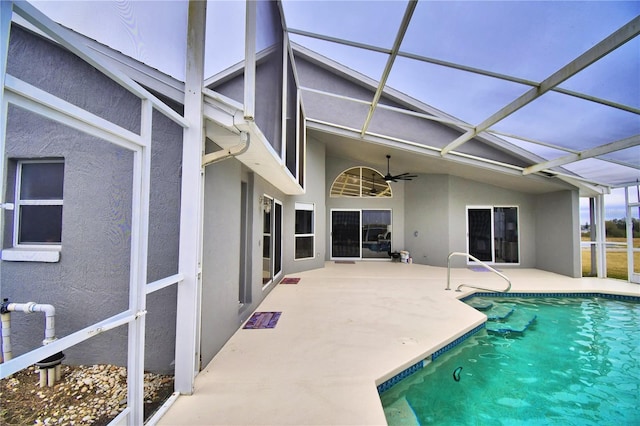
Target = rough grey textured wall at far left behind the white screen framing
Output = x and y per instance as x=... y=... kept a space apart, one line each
x=91 y=281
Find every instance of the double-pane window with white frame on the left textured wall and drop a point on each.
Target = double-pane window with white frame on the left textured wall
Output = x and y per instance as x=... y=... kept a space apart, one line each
x=38 y=209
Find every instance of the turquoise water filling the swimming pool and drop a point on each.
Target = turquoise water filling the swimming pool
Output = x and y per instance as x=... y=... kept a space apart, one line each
x=570 y=361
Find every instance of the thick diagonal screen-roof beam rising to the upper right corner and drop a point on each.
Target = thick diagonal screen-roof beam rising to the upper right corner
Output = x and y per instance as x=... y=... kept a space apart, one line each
x=615 y=40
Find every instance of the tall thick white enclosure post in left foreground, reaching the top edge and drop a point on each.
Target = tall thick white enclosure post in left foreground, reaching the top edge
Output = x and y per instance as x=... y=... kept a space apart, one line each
x=190 y=259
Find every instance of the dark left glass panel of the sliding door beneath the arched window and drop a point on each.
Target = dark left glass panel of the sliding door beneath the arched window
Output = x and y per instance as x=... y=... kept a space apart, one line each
x=345 y=234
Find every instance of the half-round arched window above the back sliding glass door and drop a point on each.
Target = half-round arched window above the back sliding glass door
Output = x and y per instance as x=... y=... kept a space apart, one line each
x=360 y=182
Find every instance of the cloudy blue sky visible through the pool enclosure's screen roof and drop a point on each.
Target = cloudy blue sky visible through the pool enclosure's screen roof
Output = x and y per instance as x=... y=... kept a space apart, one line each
x=527 y=39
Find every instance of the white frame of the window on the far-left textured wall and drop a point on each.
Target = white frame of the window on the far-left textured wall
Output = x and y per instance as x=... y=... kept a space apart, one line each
x=19 y=203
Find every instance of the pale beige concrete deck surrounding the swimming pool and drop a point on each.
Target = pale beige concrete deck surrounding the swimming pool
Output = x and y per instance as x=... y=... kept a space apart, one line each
x=344 y=329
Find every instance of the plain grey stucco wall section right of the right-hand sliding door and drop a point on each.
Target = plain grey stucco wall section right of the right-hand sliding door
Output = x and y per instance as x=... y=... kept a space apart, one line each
x=558 y=233
